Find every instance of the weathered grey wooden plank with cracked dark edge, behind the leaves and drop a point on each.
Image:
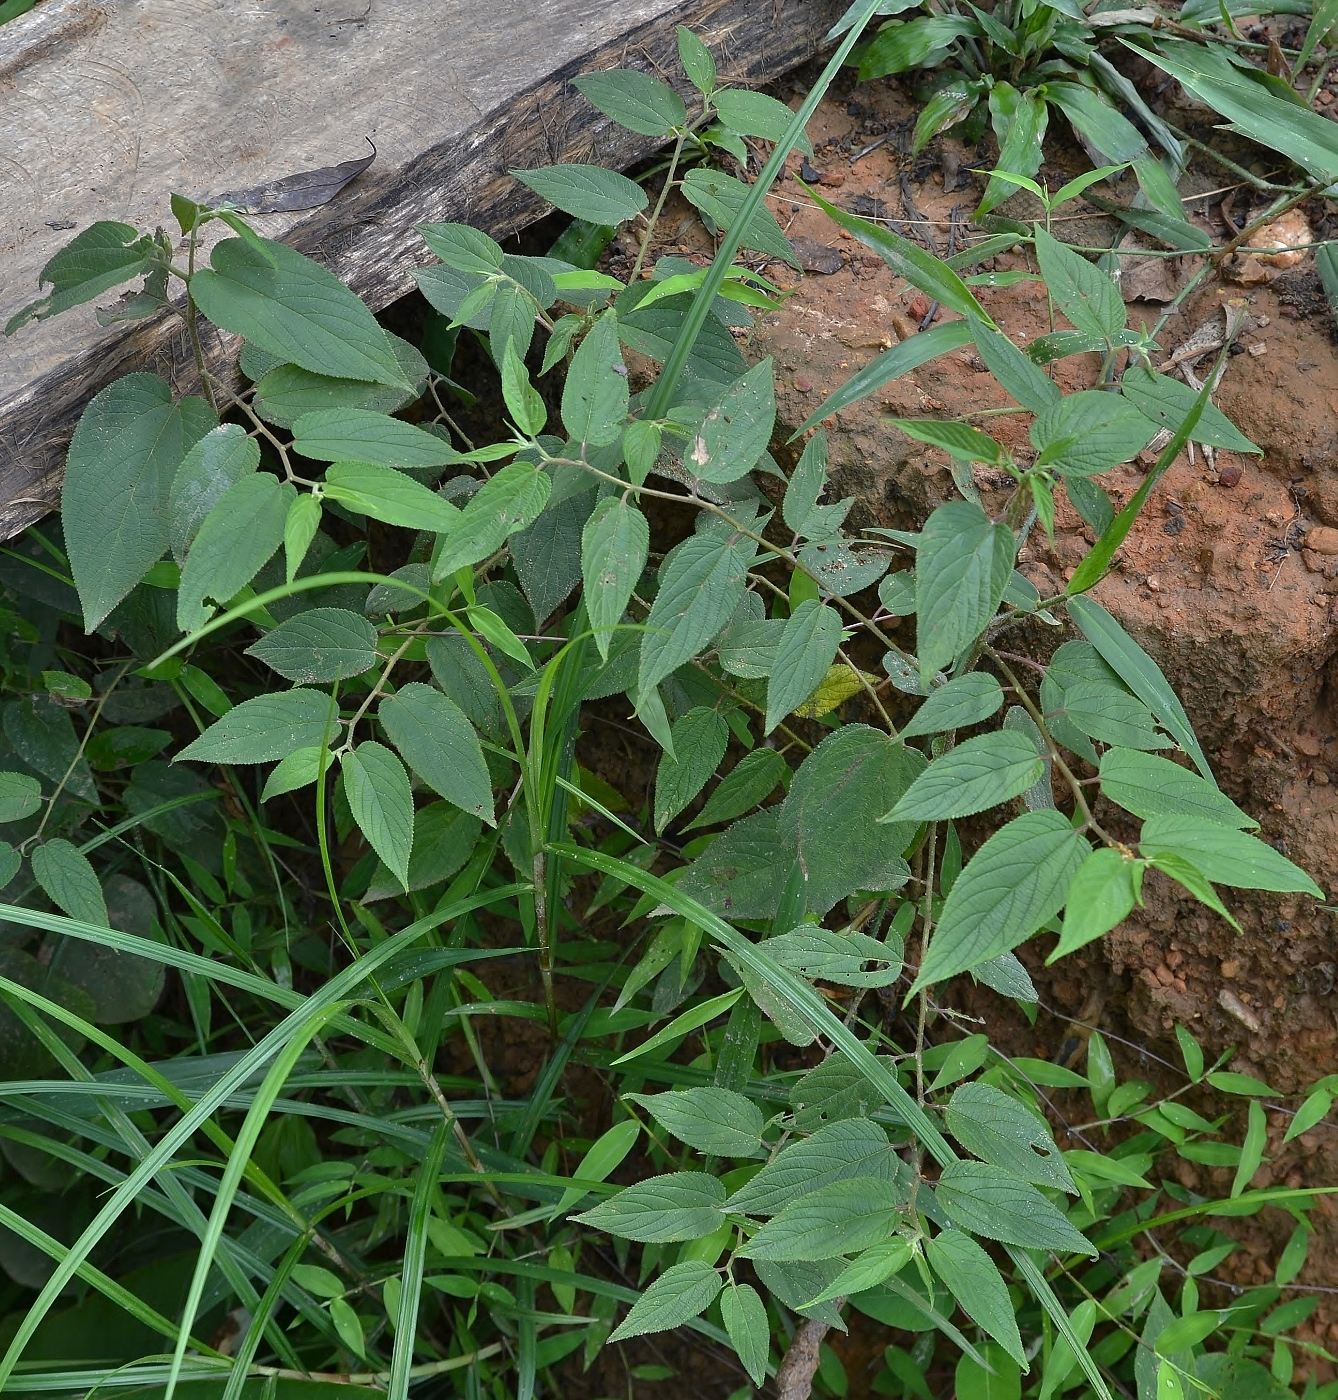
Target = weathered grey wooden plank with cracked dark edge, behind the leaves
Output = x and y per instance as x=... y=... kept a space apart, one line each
x=107 y=107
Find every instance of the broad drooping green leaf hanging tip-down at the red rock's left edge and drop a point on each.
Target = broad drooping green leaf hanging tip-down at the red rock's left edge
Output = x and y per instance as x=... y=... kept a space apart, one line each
x=962 y=569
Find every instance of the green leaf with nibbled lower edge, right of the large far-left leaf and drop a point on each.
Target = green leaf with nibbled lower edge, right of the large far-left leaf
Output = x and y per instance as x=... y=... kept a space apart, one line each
x=236 y=541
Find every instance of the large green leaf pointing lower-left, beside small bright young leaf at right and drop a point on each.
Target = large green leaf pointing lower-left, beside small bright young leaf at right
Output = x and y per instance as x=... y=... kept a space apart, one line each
x=1017 y=881
